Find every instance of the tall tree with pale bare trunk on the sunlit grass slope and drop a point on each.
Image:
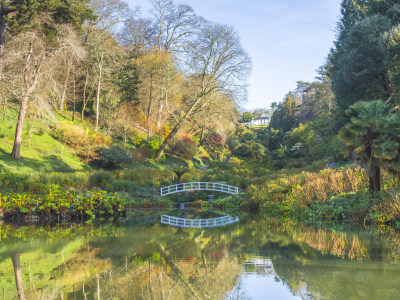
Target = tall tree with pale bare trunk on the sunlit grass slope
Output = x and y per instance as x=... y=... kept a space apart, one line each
x=36 y=27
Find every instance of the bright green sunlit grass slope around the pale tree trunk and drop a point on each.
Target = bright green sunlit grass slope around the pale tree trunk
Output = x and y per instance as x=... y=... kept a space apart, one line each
x=44 y=152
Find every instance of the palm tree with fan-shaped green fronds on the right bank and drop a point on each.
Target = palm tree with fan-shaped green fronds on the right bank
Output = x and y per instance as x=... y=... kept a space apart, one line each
x=373 y=134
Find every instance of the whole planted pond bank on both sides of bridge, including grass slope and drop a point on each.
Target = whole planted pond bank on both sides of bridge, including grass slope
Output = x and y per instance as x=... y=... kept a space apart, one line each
x=51 y=175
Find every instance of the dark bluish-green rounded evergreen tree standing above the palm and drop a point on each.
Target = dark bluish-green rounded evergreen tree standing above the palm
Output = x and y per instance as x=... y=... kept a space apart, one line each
x=359 y=70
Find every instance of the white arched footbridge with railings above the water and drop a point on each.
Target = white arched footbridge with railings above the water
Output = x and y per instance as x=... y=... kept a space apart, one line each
x=199 y=186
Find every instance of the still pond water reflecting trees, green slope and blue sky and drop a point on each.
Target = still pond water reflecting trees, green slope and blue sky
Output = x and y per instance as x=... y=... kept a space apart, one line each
x=254 y=258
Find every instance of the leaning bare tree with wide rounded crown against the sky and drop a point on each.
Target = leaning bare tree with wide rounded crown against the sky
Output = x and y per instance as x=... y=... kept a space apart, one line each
x=216 y=63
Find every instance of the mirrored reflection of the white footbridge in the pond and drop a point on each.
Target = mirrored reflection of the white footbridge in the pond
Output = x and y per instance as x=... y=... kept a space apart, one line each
x=198 y=223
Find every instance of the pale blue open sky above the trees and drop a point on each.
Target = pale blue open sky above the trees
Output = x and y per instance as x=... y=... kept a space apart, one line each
x=288 y=40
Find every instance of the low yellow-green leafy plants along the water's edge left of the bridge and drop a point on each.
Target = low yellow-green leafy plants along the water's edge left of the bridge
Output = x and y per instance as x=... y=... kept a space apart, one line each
x=75 y=205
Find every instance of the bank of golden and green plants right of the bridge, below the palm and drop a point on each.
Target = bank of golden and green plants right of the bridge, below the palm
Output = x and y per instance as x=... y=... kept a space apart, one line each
x=329 y=195
